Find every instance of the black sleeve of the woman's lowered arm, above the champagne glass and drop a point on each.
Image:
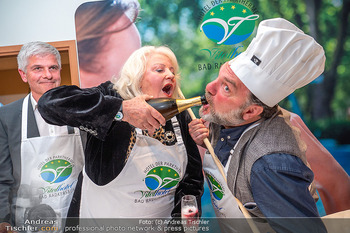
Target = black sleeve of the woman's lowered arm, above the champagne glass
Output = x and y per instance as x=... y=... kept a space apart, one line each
x=193 y=181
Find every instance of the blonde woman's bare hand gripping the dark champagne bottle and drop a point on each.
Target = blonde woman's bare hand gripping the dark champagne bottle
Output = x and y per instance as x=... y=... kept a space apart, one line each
x=140 y=114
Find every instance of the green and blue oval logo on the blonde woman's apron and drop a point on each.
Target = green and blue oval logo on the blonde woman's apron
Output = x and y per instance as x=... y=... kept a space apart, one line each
x=162 y=178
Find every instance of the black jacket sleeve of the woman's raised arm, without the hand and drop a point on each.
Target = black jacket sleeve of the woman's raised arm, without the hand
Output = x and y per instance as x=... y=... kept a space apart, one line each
x=90 y=109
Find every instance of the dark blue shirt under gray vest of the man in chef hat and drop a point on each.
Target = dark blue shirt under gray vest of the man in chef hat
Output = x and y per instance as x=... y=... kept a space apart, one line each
x=281 y=179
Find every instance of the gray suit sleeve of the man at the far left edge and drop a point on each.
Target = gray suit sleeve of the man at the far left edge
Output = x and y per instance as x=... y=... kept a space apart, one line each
x=6 y=177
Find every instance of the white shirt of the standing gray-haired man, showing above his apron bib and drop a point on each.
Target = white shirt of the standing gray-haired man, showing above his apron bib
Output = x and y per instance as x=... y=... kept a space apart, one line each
x=44 y=128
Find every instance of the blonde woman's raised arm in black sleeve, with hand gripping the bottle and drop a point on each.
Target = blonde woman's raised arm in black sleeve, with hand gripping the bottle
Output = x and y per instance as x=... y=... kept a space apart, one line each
x=93 y=109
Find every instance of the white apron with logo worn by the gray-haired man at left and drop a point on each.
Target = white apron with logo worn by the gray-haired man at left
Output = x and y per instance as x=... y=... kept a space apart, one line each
x=50 y=166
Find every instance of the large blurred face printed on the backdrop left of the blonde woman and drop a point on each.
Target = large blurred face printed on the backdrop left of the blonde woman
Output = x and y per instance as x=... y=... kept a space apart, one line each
x=106 y=37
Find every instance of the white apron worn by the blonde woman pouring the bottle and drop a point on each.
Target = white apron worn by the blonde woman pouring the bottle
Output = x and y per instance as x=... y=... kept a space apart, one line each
x=146 y=185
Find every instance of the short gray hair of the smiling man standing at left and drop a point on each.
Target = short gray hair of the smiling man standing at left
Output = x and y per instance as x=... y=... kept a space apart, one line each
x=33 y=49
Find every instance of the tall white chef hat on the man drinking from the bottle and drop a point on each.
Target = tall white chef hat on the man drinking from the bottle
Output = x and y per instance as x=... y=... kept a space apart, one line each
x=279 y=60
